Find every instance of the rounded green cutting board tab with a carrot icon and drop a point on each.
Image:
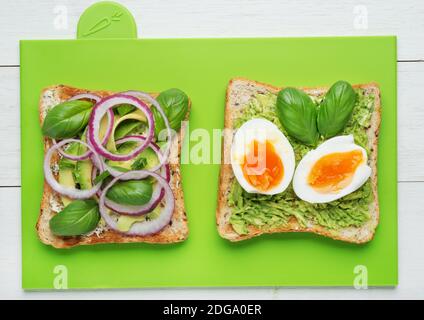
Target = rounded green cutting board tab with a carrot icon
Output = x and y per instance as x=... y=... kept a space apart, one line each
x=106 y=20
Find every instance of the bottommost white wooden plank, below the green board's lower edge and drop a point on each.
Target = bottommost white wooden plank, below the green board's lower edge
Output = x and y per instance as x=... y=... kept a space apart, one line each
x=411 y=263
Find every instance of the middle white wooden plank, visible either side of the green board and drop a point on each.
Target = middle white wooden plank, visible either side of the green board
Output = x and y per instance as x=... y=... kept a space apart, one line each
x=410 y=124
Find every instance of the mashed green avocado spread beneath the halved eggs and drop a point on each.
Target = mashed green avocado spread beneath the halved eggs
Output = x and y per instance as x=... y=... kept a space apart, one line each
x=266 y=212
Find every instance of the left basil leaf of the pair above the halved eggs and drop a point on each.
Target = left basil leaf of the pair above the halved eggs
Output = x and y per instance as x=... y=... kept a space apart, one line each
x=298 y=115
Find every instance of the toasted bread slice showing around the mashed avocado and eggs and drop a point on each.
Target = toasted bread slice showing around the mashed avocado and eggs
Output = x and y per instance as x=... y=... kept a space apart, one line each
x=239 y=93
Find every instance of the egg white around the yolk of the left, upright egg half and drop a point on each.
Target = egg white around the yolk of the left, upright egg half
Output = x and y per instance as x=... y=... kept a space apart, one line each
x=262 y=130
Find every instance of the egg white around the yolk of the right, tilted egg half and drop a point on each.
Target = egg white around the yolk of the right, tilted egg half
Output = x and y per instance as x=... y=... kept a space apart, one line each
x=337 y=144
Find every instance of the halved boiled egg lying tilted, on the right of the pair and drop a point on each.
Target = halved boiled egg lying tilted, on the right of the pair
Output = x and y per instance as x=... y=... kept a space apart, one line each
x=333 y=170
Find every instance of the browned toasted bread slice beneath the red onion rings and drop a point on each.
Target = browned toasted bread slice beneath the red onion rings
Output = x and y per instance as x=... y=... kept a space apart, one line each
x=51 y=203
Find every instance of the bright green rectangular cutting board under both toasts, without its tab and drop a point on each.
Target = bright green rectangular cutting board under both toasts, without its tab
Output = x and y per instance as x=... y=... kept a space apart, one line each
x=202 y=68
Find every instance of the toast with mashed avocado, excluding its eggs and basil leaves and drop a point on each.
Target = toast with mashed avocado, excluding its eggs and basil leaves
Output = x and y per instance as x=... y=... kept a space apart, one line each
x=241 y=215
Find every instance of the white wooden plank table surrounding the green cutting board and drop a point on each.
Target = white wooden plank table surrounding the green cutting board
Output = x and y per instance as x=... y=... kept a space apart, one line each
x=55 y=19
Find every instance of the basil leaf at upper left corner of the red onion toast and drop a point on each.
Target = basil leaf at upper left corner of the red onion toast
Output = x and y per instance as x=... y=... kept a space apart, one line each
x=67 y=119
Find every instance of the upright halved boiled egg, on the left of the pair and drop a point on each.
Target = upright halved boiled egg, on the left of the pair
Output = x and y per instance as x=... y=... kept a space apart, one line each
x=262 y=158
